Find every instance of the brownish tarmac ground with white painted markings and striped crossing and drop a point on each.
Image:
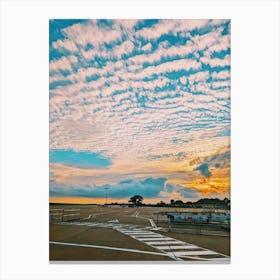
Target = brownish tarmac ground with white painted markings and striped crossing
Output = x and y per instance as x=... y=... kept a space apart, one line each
x=126 y=234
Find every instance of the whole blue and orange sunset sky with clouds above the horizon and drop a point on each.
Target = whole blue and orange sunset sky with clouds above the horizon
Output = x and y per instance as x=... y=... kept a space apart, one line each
x=139 y=107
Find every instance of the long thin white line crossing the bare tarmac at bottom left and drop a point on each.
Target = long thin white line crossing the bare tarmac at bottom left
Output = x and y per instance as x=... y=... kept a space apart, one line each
x=109 y=248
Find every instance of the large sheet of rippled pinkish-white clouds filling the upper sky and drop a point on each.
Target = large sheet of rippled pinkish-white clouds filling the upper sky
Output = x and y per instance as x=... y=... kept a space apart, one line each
x=132 y=110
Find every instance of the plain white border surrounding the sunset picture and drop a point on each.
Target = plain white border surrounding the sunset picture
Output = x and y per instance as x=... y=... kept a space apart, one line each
x=24 y=137
